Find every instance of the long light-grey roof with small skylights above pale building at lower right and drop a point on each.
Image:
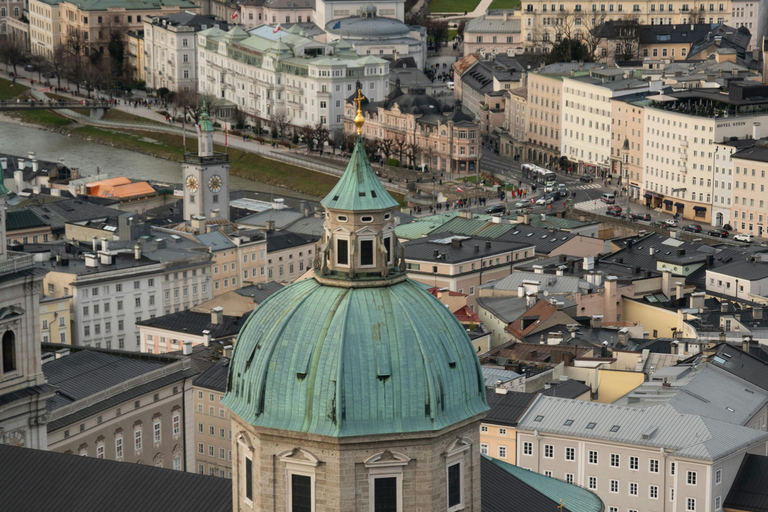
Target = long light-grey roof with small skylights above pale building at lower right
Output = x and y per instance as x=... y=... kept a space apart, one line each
x=686 y=435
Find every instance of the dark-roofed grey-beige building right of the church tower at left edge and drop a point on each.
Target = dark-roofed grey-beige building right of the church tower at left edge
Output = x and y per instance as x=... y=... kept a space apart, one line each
x=118 y=406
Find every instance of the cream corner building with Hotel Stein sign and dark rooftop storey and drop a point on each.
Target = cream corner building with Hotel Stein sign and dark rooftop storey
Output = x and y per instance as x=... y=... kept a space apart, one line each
x=679 y=148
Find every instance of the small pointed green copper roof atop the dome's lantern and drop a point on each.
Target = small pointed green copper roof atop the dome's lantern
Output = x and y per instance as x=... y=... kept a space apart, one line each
x=359 y=188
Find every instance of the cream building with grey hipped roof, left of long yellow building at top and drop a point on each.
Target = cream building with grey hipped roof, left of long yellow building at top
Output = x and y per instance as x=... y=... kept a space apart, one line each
x=496 y=32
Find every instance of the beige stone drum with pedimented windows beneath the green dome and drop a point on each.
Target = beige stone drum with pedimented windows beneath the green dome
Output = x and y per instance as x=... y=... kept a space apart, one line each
x=343 y=471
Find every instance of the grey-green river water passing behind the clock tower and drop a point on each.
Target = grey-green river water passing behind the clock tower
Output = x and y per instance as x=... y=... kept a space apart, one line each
x=91 y=156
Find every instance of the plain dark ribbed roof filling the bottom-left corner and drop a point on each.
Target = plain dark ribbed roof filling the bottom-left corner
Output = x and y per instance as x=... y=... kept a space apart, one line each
x=35 y=480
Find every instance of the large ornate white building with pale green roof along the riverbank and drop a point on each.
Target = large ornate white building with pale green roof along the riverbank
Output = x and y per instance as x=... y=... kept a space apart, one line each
x=266 y=72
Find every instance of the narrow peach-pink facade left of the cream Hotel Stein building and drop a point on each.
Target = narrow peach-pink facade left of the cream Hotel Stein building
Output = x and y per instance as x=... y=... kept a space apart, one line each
x=627 y=145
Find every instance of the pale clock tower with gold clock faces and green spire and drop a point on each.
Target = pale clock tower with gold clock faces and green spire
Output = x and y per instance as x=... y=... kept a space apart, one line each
x=206 y=175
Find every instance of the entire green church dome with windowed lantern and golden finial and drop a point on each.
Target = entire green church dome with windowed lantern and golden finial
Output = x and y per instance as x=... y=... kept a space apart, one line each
x=357 y=349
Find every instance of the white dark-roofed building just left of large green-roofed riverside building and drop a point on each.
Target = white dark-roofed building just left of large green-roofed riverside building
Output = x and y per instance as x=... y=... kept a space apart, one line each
x=170 y=49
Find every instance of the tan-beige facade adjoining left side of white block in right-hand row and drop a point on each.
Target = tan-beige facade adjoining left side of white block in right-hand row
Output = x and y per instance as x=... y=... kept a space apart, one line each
x=545 y=97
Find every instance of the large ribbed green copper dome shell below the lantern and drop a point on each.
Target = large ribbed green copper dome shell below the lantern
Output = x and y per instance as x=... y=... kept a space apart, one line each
x=342 y=361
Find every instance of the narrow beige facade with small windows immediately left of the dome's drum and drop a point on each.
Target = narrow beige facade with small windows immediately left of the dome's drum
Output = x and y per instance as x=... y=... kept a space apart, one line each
x=212 y=434
